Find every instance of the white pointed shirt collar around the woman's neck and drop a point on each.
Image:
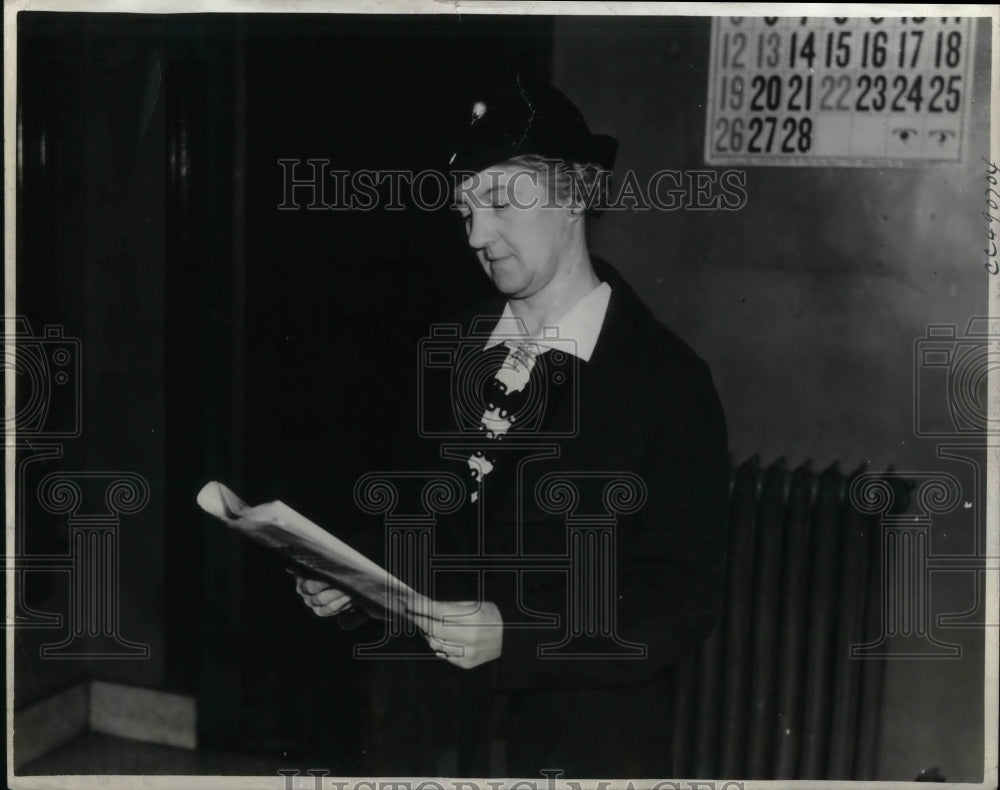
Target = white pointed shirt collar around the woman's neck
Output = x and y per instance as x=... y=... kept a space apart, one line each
x=575 y=333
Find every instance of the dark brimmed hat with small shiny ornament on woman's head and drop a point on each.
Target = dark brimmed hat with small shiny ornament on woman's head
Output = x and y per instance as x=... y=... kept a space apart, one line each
x=517 y=121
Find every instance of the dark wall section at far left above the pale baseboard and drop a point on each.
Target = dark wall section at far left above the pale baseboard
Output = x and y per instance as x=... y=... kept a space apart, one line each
x=90 y=259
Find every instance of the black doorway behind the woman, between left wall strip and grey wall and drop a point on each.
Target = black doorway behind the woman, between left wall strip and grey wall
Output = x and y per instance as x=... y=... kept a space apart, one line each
x=302 y=322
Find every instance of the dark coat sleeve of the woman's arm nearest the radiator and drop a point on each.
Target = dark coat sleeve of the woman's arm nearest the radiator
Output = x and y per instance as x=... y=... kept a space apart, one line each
x=670 y=556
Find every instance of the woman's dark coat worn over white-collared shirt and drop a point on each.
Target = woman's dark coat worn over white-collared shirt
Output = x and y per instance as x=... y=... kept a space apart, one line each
x=642 y=410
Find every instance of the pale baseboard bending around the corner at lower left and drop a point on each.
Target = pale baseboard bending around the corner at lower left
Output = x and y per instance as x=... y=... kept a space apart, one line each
x=109 y=708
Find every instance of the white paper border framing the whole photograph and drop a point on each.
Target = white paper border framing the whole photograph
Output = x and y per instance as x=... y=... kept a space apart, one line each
x=498 y=7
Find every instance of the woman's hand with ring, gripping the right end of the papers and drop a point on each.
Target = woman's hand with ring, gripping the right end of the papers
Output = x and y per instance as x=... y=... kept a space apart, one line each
x=463 y=633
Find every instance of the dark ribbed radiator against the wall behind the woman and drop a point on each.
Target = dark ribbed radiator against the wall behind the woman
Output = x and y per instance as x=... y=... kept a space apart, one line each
x=773 y=692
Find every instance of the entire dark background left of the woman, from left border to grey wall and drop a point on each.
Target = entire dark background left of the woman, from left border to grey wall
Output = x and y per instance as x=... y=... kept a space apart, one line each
x=268 y=349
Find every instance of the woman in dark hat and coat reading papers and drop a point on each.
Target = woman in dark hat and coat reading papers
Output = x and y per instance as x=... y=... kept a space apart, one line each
x=597 y=488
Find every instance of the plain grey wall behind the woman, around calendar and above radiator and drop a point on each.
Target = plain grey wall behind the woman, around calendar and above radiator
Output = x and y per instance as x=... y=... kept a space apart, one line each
x=806 y=304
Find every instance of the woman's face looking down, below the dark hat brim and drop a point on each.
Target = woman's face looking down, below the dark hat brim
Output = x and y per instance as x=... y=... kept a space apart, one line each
x=519 y=233
